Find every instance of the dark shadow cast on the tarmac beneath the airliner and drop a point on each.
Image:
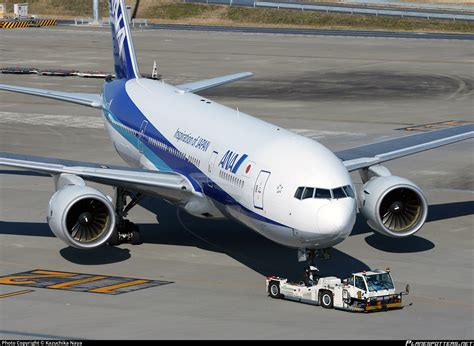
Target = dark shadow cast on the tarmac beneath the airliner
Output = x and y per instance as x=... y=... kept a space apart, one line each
x=239 y=242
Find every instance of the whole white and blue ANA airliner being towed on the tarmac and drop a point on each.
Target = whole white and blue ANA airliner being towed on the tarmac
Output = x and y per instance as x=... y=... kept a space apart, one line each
x=216 y=162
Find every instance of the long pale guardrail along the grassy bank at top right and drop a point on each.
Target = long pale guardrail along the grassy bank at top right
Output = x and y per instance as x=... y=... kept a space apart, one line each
x=341 y=9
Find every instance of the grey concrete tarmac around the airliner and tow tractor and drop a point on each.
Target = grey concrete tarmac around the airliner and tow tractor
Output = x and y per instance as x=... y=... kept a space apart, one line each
x=342 y=91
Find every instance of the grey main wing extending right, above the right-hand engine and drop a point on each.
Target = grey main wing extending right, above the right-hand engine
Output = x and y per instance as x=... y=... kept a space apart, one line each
x=375 y=153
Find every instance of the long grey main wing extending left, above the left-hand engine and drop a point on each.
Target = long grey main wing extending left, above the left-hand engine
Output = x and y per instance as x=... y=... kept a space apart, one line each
x=168 y=185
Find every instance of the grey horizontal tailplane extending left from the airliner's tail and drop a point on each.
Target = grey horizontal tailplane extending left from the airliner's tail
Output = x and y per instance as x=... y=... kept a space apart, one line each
x=90 y=100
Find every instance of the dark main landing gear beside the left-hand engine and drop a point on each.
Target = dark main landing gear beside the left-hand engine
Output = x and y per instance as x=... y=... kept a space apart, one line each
x=126 y=232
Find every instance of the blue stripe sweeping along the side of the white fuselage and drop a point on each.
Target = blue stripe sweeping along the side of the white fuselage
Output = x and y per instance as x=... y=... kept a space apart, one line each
x=119 y=106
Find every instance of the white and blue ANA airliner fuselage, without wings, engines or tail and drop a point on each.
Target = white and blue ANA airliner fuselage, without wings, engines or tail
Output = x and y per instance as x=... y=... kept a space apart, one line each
x=241 y=167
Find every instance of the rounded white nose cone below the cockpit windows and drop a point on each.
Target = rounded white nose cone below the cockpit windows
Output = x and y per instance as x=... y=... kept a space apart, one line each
x=337 y=217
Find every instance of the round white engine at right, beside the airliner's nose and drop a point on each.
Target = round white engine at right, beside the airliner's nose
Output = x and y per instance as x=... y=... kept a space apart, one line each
x=393 y=206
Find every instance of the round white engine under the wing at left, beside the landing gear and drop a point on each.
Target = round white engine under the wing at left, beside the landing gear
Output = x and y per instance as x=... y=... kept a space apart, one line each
x=81 y=216
